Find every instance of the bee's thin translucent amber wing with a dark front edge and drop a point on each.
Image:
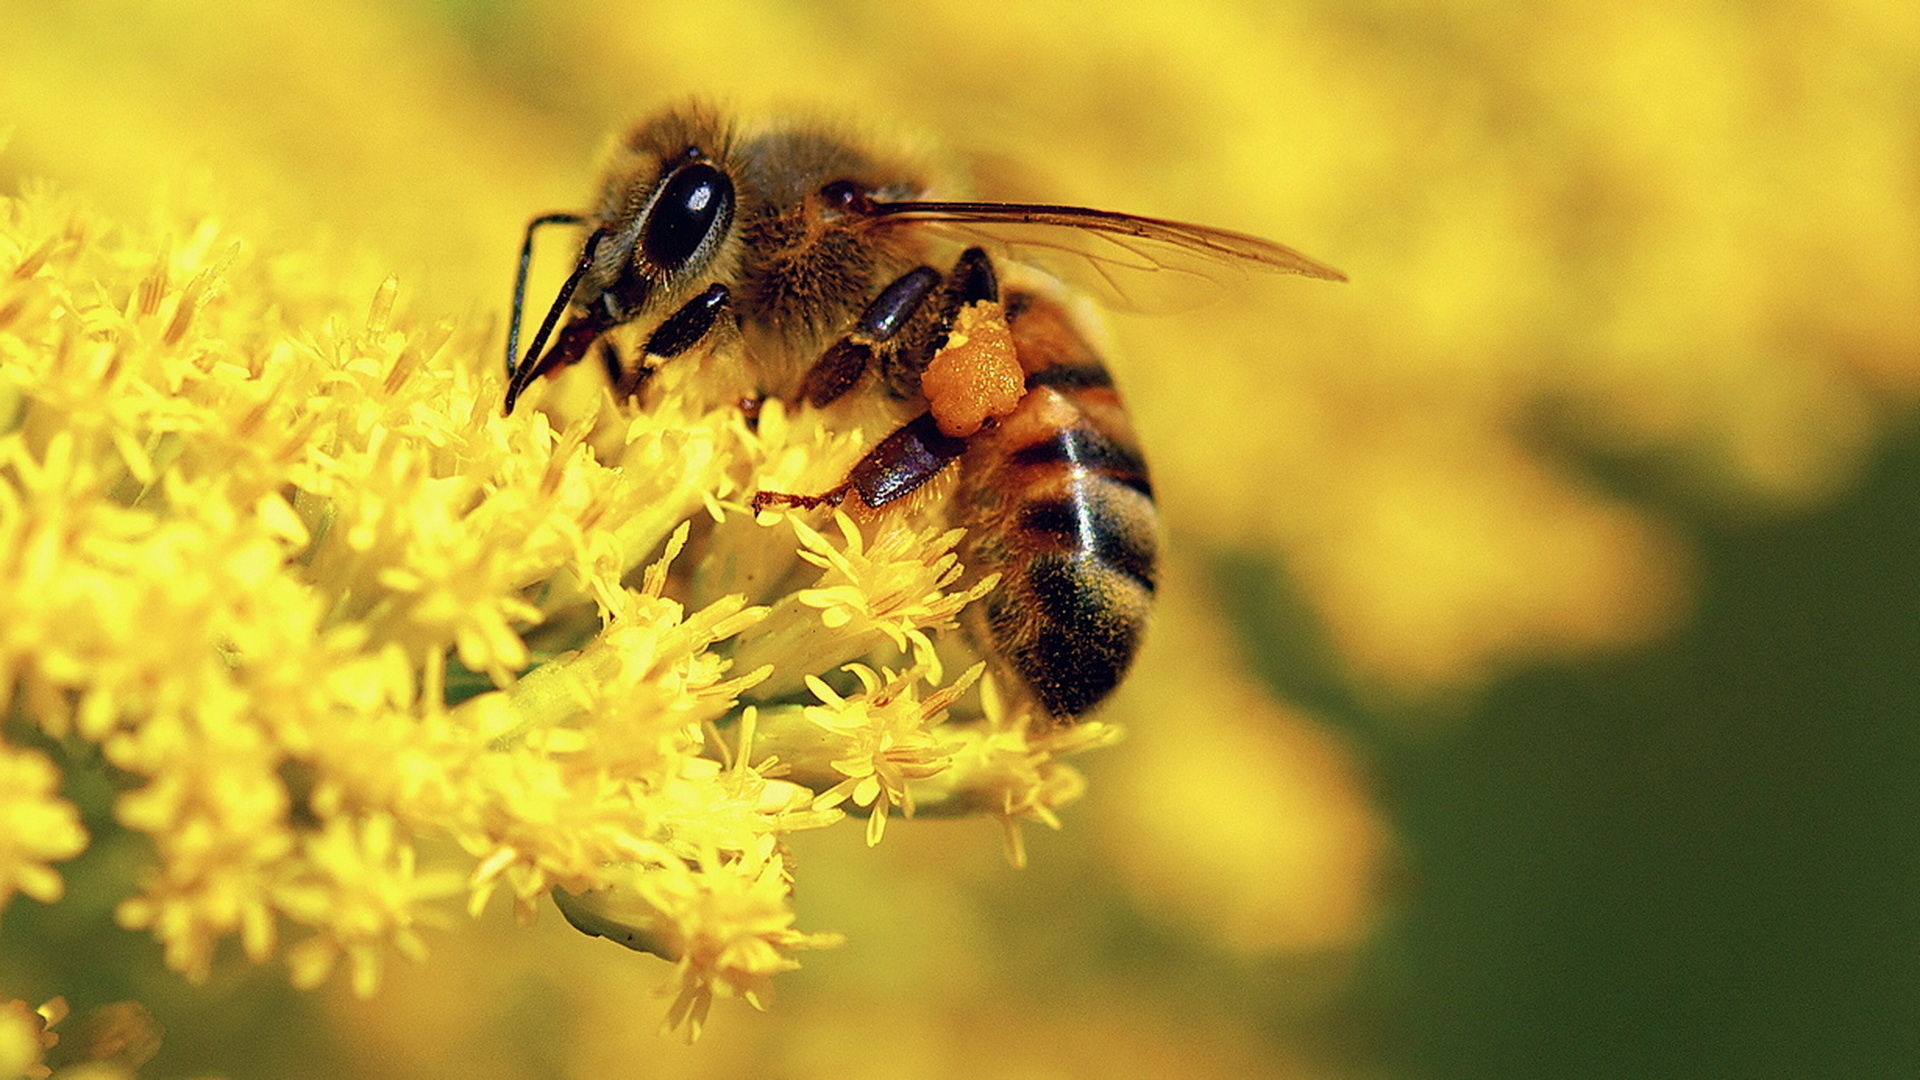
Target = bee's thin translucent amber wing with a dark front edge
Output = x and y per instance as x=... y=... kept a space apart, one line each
x=1130 y=262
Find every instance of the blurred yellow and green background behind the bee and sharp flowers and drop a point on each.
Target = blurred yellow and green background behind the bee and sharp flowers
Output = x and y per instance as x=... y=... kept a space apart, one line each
x=1535 y=691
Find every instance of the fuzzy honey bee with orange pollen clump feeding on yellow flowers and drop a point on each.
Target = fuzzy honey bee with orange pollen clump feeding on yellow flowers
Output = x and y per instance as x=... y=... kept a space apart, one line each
x=819 y=255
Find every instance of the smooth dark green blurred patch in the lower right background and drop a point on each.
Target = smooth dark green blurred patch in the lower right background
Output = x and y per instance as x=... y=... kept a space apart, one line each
x=1698 y=860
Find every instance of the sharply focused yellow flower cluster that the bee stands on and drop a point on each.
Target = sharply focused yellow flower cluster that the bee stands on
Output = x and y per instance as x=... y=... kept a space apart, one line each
x=358 y=643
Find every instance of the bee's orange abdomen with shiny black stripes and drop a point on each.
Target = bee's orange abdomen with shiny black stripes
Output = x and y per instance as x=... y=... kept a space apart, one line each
x=1061 y=506
